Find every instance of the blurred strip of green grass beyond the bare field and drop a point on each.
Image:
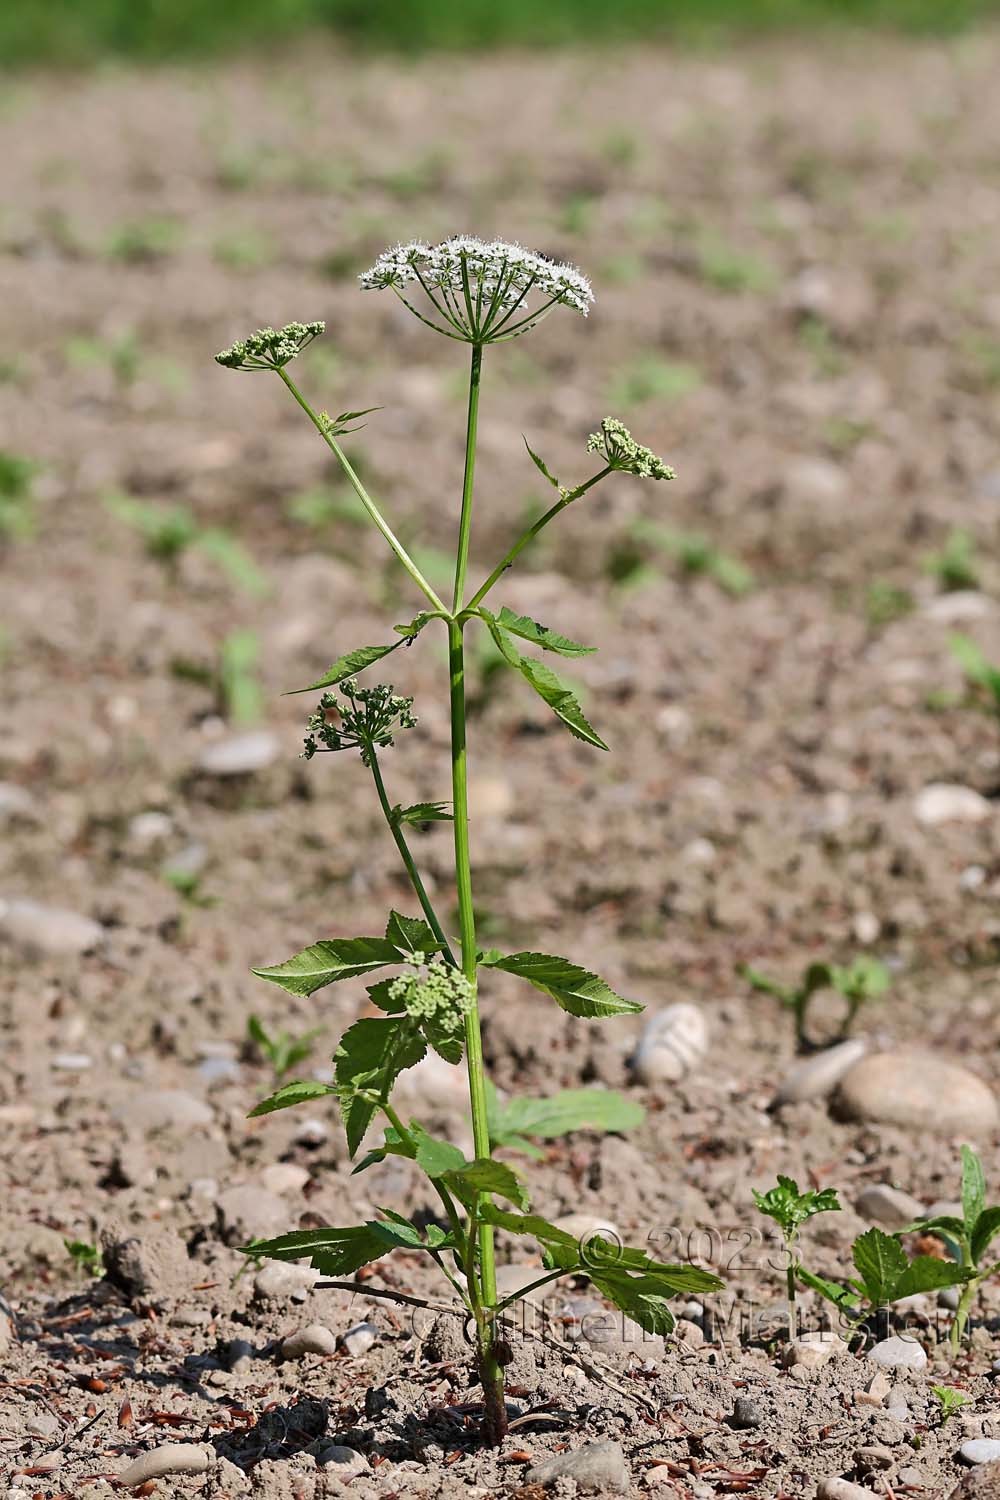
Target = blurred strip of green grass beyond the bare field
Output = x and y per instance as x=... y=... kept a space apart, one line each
x=85 y=31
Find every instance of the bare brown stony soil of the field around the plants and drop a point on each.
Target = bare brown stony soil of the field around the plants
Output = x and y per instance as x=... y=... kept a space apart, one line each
x=797 y=262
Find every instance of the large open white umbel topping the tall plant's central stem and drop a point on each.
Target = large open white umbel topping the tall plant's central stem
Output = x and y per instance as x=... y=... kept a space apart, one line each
x=484 y=292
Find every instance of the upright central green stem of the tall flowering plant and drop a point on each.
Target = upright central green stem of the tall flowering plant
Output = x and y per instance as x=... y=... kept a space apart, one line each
x=491 y=1372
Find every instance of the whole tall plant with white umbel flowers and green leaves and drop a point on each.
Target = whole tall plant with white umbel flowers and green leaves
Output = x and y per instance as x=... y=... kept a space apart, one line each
x=479 y=295
